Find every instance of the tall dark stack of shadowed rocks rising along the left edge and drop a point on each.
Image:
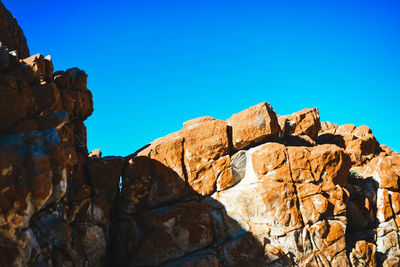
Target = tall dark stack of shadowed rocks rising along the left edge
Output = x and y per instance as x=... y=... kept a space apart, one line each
x=54 y=206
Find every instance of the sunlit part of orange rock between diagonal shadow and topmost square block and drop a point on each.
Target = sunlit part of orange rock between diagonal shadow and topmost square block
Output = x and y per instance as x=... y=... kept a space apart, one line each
x=202 y=145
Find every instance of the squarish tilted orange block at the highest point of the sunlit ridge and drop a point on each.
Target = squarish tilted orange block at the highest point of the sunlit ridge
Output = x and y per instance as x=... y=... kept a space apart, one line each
x=254 y=125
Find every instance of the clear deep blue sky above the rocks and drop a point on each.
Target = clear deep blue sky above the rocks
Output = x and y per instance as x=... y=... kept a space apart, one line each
x=154 y=64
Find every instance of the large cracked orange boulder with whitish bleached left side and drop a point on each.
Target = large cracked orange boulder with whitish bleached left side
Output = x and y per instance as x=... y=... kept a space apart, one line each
x=285 y=191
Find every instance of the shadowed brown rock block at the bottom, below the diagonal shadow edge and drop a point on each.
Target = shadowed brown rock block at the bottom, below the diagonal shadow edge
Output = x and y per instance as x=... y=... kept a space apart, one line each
x=170 y=233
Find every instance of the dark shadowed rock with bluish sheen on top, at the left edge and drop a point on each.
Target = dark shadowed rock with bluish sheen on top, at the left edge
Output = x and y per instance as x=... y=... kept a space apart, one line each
x=33 y=173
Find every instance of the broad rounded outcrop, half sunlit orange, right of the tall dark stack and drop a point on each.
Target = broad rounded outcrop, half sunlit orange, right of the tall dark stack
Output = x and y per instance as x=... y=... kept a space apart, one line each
x=260 y=189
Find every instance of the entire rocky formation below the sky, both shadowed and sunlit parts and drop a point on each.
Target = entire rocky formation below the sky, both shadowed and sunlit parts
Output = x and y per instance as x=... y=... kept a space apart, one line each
x=257 y=189
